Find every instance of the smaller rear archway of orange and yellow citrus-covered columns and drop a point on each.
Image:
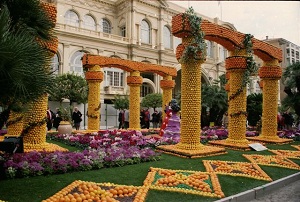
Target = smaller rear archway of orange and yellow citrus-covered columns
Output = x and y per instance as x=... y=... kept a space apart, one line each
x=94 y=76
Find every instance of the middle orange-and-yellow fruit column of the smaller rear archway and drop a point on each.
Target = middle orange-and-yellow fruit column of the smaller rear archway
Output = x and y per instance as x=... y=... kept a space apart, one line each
x=134 y=81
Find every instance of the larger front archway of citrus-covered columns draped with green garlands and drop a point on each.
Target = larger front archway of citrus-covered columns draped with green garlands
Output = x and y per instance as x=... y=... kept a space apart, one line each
x=238 y=65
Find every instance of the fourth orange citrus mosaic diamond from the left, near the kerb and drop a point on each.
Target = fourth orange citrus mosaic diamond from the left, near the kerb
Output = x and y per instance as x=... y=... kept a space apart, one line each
x=272 y=160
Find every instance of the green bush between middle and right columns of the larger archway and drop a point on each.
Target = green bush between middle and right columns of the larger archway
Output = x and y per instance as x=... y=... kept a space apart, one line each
x=254 y=108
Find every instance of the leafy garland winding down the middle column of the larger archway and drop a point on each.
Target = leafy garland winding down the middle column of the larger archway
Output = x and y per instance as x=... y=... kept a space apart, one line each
x=251 y=68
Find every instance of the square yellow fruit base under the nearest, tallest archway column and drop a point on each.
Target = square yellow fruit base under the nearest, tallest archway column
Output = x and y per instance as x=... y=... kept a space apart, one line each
x=202 y=152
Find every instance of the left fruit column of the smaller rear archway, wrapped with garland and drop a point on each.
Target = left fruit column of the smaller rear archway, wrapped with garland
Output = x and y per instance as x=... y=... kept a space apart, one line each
x=94 y=78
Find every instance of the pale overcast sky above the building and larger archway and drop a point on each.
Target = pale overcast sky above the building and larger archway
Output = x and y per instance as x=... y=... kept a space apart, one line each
x=275 y=19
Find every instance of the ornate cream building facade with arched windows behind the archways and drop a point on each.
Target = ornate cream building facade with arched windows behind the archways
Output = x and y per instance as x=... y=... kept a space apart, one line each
x=137 y=30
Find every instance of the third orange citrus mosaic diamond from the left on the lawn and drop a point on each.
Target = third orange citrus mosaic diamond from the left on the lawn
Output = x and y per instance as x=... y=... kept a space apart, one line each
x=244 y=169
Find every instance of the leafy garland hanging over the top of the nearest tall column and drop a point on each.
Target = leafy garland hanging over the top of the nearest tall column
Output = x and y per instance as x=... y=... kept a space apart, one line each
x=197 y=46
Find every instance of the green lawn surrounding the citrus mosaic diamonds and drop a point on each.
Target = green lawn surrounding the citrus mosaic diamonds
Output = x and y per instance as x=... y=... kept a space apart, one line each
x=35 y=189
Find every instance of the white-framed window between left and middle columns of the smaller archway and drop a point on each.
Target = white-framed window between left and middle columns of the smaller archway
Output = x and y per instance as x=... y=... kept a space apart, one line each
x=114 y=77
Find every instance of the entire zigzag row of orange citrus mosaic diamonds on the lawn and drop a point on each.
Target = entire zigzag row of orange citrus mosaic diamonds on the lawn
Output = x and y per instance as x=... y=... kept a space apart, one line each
x=184 y=181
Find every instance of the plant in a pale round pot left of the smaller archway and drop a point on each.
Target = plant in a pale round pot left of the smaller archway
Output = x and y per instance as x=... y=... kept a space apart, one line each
x=65 y=126
